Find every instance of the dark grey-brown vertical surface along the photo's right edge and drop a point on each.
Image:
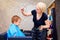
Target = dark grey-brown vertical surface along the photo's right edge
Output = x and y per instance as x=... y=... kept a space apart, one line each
x=58 y=18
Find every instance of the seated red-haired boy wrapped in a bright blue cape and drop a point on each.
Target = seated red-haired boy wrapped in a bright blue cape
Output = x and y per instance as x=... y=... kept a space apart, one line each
x=14 y=30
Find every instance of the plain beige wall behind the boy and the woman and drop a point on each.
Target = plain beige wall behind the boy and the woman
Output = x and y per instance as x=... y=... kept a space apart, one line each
x=8 y=8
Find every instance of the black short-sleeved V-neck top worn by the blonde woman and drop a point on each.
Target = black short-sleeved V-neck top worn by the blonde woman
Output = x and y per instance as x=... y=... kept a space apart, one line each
x=39 y=22
